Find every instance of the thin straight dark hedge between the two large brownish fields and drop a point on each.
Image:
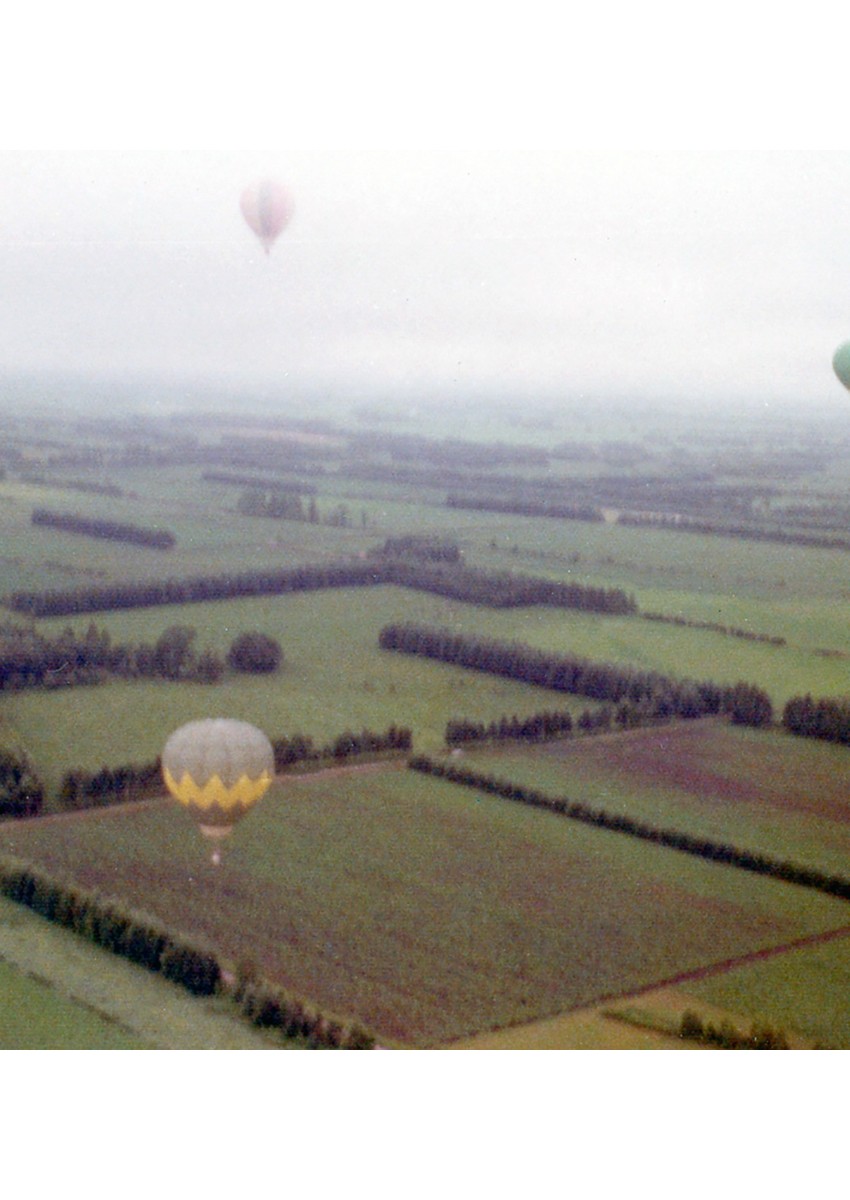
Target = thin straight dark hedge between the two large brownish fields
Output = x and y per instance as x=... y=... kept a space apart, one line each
x=619 y=823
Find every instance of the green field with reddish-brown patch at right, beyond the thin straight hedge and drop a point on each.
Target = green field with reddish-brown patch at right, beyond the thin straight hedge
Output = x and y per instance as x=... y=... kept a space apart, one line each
x=759 y=790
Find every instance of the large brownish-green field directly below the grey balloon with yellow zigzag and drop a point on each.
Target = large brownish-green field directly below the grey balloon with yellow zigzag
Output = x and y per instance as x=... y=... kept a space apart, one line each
x=424 y=910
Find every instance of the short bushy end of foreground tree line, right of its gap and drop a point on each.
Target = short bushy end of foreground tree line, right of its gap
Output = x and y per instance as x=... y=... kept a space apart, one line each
x=272 y=1009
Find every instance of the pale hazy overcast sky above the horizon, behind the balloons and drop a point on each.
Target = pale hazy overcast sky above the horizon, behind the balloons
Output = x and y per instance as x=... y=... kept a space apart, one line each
x=454 y=277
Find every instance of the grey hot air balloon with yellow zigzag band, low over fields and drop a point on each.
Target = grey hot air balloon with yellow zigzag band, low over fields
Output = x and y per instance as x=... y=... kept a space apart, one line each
x=218 y=770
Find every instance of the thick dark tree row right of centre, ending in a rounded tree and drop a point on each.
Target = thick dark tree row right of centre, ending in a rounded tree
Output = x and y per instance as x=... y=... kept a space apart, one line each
x=656 y=695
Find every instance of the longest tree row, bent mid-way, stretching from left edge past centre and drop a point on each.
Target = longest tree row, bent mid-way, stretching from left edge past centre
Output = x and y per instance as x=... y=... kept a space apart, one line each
x=458 y=583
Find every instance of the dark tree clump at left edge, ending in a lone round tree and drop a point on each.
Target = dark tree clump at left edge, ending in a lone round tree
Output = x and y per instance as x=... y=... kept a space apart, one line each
x=31 y=659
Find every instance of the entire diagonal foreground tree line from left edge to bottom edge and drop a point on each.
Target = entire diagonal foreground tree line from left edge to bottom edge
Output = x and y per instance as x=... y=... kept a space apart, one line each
x=142 y=939
